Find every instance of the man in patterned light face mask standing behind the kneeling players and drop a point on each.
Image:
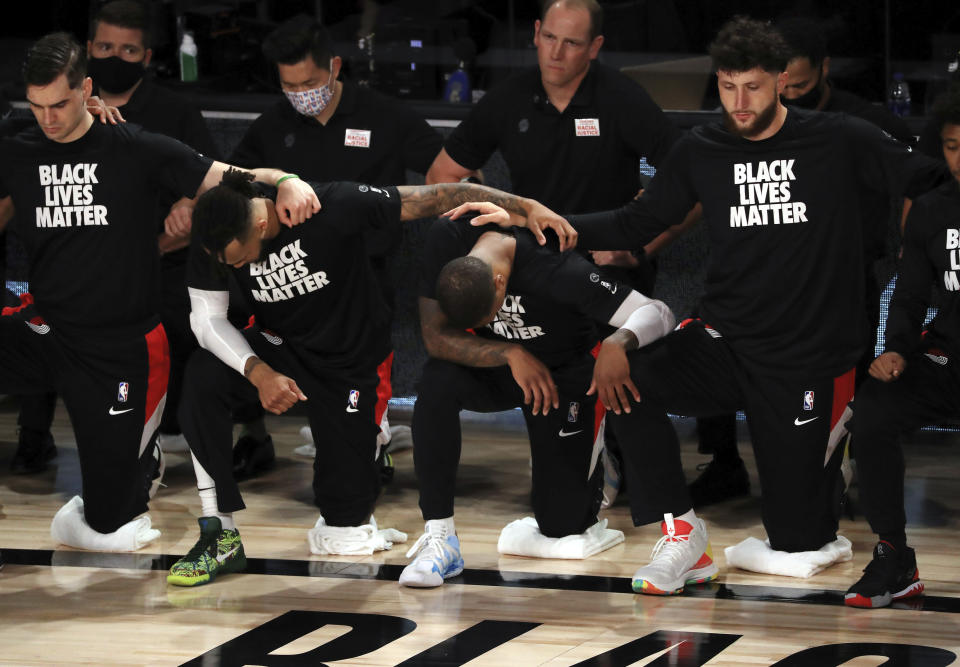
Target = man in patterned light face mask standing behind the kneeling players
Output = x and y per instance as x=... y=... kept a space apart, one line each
x=325 y=129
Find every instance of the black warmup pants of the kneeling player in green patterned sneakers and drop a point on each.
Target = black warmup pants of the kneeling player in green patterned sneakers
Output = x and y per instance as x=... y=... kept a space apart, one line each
x=341 y=406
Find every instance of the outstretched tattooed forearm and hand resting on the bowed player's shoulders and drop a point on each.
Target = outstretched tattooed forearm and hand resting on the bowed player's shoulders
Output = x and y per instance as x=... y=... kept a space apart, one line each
x=506 y=210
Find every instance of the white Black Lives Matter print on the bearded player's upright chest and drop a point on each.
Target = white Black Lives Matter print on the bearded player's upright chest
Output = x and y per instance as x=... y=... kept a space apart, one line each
x=764 y=195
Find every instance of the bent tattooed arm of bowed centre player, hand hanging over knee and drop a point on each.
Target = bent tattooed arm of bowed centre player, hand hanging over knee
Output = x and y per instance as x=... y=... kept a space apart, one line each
x=445 y=342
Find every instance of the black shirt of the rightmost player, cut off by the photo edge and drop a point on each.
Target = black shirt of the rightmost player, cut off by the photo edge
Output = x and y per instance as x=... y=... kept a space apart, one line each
x=931 y=263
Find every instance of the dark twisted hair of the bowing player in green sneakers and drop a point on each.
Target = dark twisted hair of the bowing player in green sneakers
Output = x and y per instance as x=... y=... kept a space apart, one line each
x=222 y=213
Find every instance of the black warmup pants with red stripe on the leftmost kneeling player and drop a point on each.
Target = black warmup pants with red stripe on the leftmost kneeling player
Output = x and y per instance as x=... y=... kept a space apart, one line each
x=114 y=388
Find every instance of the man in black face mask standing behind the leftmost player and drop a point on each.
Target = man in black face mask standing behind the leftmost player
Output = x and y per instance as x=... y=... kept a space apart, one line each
x=118 y=54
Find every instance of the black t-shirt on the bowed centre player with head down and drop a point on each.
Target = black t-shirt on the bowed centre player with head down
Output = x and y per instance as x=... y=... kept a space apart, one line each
x=553 y=300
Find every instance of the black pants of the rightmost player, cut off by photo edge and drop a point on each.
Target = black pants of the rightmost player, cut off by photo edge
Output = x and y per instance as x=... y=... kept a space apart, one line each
x=928 y=392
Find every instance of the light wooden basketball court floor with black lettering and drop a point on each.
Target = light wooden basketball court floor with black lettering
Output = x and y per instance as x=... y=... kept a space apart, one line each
x=61 y=606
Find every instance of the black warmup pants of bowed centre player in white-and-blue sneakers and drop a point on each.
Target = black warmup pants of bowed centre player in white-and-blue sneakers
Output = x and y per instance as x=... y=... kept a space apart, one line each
x=567 y=482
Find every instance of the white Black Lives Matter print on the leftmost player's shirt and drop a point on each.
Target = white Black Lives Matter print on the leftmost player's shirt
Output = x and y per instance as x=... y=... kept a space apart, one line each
x=68 y=196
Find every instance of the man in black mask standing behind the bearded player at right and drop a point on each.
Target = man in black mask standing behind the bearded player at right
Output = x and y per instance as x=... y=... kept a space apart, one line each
x=808 y=87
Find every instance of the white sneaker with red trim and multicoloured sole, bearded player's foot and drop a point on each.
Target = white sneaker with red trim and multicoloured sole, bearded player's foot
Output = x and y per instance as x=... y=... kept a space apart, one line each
x=682 y=556
